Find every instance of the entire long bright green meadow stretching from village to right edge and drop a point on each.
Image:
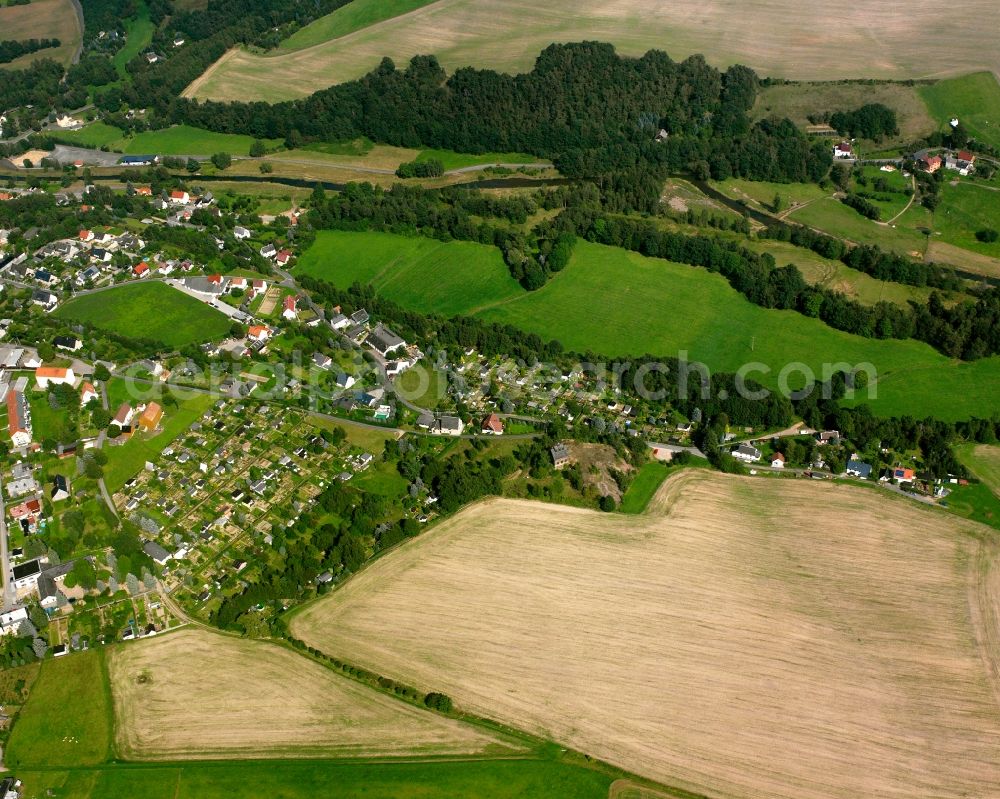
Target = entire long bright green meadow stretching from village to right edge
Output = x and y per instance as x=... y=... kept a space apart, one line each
x=617 y=303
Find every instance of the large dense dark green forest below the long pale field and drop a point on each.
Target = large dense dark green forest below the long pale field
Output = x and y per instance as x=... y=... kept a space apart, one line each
x=595 y=113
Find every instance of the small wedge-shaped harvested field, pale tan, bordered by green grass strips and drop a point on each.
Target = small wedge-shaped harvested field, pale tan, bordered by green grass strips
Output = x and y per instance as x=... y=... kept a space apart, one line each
x=197 y=694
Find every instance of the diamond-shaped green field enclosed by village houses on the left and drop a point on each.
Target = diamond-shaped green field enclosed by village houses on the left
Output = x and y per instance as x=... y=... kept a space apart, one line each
x=153 y=311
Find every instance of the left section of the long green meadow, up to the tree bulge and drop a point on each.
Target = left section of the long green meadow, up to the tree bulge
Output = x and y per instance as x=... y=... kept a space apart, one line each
x=420 y=273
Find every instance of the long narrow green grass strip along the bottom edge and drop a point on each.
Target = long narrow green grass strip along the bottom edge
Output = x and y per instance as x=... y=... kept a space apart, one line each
x=513 y=779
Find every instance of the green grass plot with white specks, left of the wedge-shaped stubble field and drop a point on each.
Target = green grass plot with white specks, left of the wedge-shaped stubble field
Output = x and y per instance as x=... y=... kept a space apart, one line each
x=68 y=718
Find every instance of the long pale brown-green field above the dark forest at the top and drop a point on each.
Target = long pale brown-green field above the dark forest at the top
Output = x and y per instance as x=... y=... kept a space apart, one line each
x=782 y=38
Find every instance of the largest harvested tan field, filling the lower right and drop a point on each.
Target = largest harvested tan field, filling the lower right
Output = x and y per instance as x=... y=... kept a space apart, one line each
x=743 y=638
